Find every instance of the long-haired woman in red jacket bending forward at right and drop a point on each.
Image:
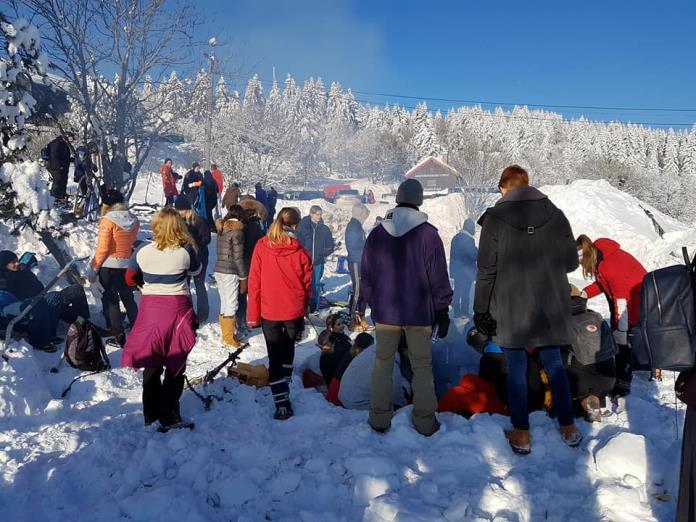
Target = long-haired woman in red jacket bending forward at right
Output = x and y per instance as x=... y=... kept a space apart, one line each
x=618 y=275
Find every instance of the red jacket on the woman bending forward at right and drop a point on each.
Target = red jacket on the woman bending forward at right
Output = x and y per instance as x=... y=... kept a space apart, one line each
x=619 y=276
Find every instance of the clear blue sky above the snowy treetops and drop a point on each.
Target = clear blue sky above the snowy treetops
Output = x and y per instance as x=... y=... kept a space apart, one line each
x=593 y=53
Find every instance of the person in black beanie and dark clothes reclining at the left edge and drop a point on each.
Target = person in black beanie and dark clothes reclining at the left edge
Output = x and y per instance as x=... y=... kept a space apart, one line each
x=18 y=279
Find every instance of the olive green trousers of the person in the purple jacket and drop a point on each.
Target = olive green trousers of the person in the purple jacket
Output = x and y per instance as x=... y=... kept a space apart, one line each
x=424 y=400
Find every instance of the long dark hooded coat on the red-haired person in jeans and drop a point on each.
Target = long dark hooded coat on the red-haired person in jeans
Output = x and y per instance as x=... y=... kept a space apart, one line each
x=526 y=250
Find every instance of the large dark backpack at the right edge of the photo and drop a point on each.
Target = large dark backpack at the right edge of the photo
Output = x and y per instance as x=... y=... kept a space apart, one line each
x=666 y=335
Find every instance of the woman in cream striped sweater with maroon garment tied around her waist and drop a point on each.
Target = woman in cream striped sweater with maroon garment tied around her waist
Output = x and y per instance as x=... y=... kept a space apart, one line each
x=165 y=330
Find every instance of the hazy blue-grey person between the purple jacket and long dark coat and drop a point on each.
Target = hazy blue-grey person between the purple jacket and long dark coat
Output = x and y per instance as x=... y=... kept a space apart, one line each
x=463 y=255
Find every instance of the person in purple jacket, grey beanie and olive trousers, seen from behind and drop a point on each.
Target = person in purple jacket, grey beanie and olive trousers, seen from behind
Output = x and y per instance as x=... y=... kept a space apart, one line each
x=405 y=281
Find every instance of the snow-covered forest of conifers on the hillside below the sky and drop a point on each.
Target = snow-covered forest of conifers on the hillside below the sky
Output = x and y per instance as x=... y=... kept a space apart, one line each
x=287 y=133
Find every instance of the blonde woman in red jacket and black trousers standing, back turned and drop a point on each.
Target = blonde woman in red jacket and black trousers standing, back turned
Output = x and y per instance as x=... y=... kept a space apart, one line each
x=280 y=287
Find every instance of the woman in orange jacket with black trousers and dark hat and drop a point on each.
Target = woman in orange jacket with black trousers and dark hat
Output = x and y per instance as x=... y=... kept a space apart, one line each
x=118 y=229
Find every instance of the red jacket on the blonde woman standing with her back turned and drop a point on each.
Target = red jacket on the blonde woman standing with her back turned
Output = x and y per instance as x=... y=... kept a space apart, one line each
x=280 y=282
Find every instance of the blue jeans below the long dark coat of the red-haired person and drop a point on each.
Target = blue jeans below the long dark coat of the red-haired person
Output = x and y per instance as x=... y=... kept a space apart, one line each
x=517 y=385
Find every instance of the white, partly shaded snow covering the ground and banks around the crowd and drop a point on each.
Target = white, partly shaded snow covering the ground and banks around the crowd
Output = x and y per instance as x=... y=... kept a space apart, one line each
x=88 y=457
